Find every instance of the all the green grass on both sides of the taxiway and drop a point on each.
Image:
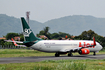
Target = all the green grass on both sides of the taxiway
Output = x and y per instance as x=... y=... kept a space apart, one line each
x=88 y=64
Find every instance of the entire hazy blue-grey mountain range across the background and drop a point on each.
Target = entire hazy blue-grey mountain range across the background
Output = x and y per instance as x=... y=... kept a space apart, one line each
x=73 y=25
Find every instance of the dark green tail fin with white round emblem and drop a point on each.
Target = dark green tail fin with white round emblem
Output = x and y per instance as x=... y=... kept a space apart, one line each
x=28 y=34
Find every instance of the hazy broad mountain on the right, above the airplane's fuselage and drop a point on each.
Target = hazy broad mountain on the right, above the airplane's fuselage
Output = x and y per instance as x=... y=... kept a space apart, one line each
x=76 y=24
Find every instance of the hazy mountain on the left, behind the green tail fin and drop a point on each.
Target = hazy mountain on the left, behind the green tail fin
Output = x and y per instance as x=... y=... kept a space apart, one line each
x=11 y=24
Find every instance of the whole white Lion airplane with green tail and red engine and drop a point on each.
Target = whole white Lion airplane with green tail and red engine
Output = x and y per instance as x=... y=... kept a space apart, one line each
x=58 y=47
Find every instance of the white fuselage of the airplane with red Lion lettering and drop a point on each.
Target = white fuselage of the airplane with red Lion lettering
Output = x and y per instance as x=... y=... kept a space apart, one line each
x=64 y=45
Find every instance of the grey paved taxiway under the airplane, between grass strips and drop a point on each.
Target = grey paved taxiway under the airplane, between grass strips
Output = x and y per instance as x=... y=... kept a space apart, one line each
x=41 y=58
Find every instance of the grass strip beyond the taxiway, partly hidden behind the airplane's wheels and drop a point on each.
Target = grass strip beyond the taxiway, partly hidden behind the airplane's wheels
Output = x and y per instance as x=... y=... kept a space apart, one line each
x=28 y=53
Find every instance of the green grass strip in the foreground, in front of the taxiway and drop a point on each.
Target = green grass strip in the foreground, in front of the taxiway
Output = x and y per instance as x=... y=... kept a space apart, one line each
x=87 y=64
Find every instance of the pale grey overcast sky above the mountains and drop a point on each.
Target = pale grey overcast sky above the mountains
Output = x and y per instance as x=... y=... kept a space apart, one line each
x=44 y=10
